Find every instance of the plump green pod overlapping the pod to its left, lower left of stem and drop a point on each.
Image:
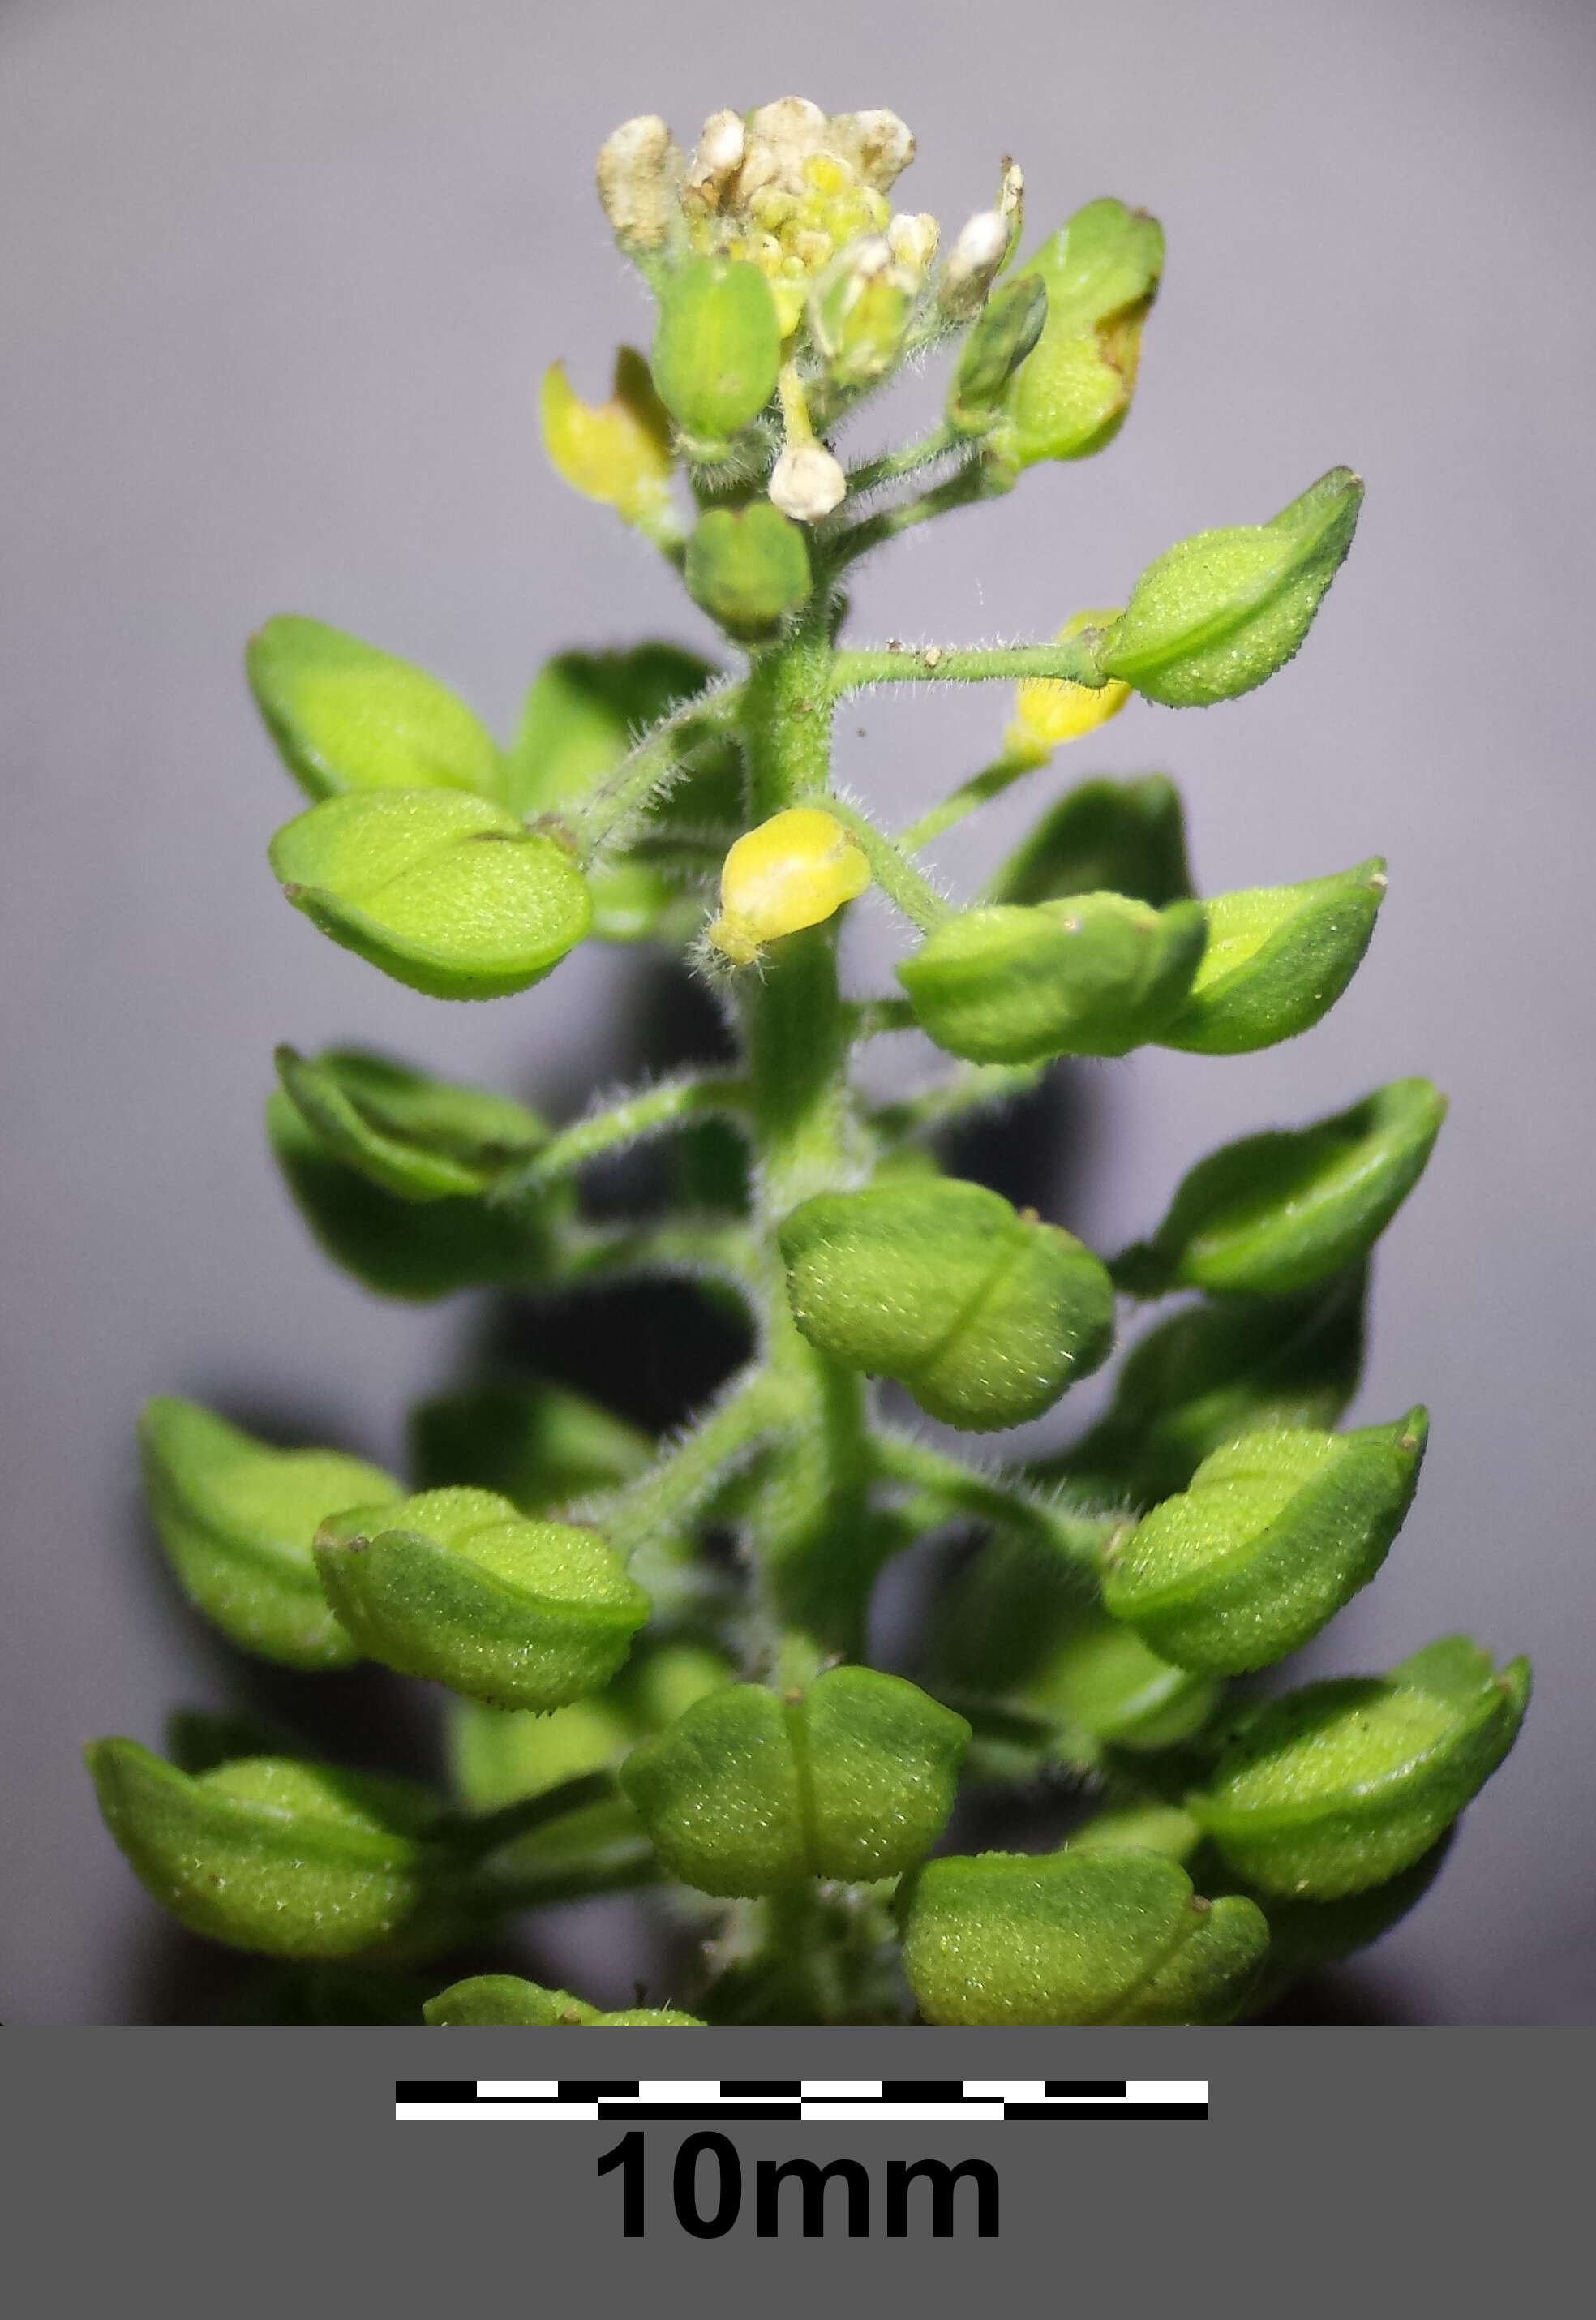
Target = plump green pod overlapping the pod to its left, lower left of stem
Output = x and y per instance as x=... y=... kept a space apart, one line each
x=458 y=1586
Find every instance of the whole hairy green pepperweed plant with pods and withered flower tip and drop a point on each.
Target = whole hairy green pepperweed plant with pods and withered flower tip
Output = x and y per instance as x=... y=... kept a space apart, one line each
x=634 y=1706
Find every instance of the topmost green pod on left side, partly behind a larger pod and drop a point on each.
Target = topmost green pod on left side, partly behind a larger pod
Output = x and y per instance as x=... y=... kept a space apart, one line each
x=347 y=716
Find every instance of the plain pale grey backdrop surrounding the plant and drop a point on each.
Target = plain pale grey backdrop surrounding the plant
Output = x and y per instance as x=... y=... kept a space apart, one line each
x=277 y=289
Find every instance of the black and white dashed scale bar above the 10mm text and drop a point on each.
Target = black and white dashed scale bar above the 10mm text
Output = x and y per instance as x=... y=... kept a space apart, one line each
x=966 y=2101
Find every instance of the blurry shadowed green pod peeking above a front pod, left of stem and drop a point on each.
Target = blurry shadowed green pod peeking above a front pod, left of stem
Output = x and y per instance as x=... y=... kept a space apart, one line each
x=542 y=1447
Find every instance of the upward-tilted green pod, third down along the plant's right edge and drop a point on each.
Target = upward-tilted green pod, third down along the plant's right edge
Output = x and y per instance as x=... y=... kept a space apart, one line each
x=1282 y=1212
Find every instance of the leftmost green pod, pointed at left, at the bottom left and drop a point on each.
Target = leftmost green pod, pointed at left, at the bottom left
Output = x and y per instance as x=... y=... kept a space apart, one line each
x=268 y=1853
